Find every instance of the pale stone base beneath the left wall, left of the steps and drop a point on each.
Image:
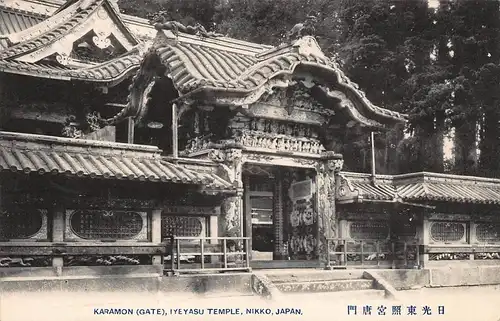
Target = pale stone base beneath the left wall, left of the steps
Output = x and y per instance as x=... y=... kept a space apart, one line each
x=122 y=279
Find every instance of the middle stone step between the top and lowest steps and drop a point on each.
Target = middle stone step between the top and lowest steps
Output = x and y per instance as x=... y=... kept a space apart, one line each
x=326 y=286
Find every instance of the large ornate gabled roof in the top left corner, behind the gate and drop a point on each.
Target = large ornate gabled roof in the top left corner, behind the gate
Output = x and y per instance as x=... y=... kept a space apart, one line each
x=35 y=29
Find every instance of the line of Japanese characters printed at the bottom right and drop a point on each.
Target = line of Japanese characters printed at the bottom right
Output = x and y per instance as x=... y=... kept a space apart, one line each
x=395 y=310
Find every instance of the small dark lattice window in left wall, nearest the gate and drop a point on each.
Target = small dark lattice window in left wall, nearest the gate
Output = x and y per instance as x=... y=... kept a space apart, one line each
x=185 y=226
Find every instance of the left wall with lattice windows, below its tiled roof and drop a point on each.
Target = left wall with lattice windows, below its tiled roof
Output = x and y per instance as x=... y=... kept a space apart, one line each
x=37 y=231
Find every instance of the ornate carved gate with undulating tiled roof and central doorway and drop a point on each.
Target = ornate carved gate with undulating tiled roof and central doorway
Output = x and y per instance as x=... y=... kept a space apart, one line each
x=273 y=118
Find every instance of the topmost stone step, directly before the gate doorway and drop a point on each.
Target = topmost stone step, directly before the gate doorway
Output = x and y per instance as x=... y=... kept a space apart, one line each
x=314 y=276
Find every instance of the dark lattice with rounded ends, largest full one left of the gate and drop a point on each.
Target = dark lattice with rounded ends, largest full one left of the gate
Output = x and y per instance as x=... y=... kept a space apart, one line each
x=100 y=224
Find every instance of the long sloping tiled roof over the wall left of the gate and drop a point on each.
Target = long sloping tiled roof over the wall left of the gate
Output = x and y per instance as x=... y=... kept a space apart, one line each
x=97 y=162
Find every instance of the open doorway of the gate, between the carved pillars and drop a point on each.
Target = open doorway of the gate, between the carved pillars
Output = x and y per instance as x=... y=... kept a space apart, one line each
x=269 y=208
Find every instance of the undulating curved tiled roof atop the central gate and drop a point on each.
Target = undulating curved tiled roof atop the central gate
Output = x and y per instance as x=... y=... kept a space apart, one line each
x=239 y=74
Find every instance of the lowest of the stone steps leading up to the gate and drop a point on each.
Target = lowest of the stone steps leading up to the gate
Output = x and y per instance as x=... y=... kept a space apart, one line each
x=340 y=297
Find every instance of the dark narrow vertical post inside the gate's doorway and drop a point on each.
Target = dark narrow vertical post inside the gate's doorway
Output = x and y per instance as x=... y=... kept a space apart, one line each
x=278 y=252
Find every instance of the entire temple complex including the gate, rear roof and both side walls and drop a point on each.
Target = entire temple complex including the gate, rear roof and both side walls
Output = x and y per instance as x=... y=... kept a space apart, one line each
x=116 y=135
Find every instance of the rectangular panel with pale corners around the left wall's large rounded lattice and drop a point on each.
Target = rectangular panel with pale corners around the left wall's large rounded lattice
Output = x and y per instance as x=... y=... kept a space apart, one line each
x=85 y=224
